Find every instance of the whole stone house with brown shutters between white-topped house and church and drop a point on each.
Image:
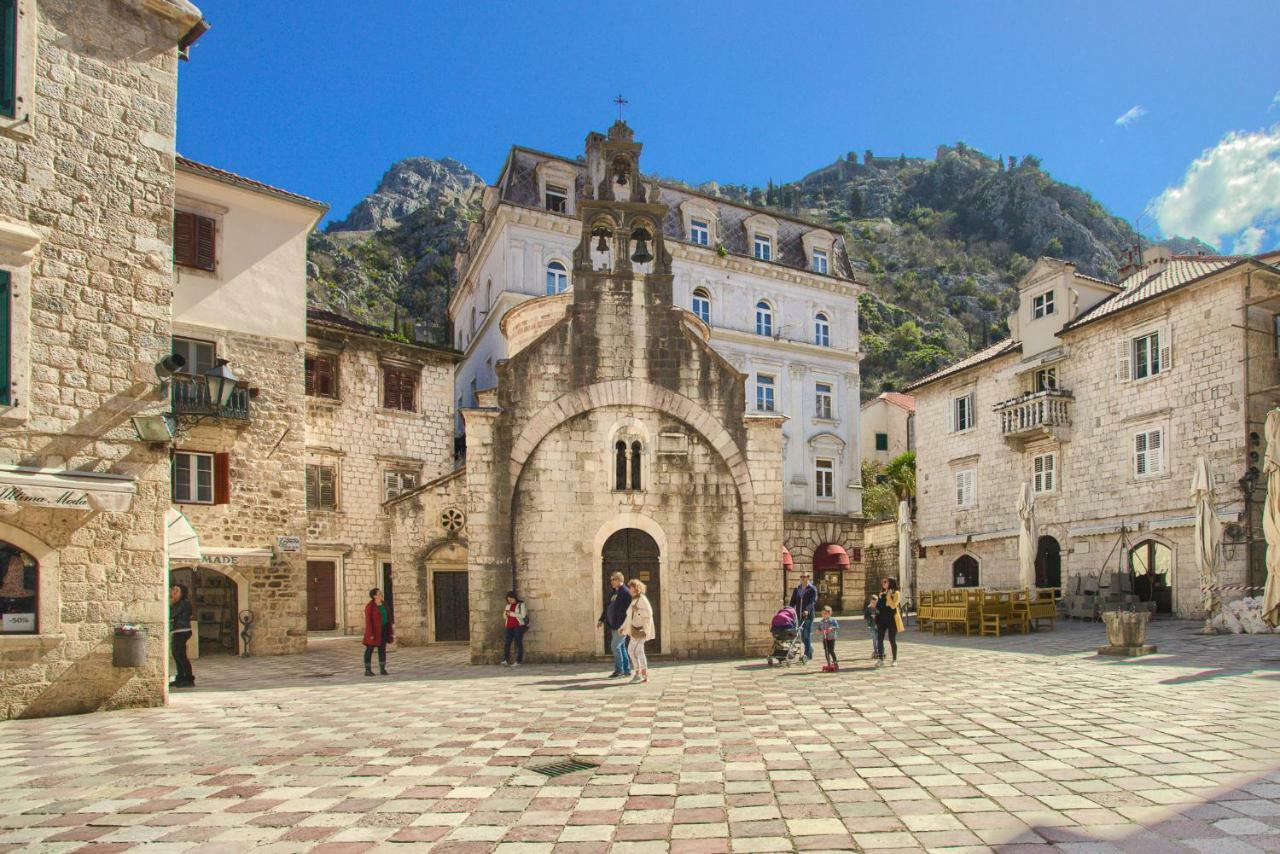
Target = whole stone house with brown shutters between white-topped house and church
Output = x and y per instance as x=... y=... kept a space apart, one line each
x=380 y=423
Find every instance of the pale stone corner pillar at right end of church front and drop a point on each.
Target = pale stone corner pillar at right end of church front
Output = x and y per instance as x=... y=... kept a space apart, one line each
x=762 y=532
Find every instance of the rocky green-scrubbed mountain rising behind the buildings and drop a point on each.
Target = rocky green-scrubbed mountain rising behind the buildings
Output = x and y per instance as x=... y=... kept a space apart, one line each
x=940 y=243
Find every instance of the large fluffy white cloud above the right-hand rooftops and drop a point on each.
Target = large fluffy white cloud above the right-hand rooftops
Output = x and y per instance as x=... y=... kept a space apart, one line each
x=1231 y=193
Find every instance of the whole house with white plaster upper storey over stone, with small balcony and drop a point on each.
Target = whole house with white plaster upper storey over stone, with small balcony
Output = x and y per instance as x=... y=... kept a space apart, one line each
x=240 y=309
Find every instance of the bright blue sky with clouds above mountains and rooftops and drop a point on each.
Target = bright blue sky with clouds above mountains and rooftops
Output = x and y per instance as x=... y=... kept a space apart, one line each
x=321 y=101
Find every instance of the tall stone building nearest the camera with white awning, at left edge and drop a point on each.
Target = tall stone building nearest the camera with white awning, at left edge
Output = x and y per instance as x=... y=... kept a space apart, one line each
x=88 y=106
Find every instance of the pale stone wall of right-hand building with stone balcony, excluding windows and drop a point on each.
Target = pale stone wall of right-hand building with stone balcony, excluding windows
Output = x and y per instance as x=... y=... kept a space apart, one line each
x=1200 y=404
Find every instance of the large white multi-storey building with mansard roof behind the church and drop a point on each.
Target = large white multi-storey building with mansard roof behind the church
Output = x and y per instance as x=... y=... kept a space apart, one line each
x=775 y=294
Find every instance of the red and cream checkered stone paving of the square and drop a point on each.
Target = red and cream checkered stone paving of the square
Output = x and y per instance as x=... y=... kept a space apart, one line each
x=1020 y=743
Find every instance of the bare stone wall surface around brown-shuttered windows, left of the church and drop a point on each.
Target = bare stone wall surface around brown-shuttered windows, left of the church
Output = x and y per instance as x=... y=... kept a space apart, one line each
x=363 y=441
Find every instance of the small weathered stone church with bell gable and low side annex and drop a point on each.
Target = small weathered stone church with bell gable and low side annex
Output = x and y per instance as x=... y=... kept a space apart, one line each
x=616 y=439
